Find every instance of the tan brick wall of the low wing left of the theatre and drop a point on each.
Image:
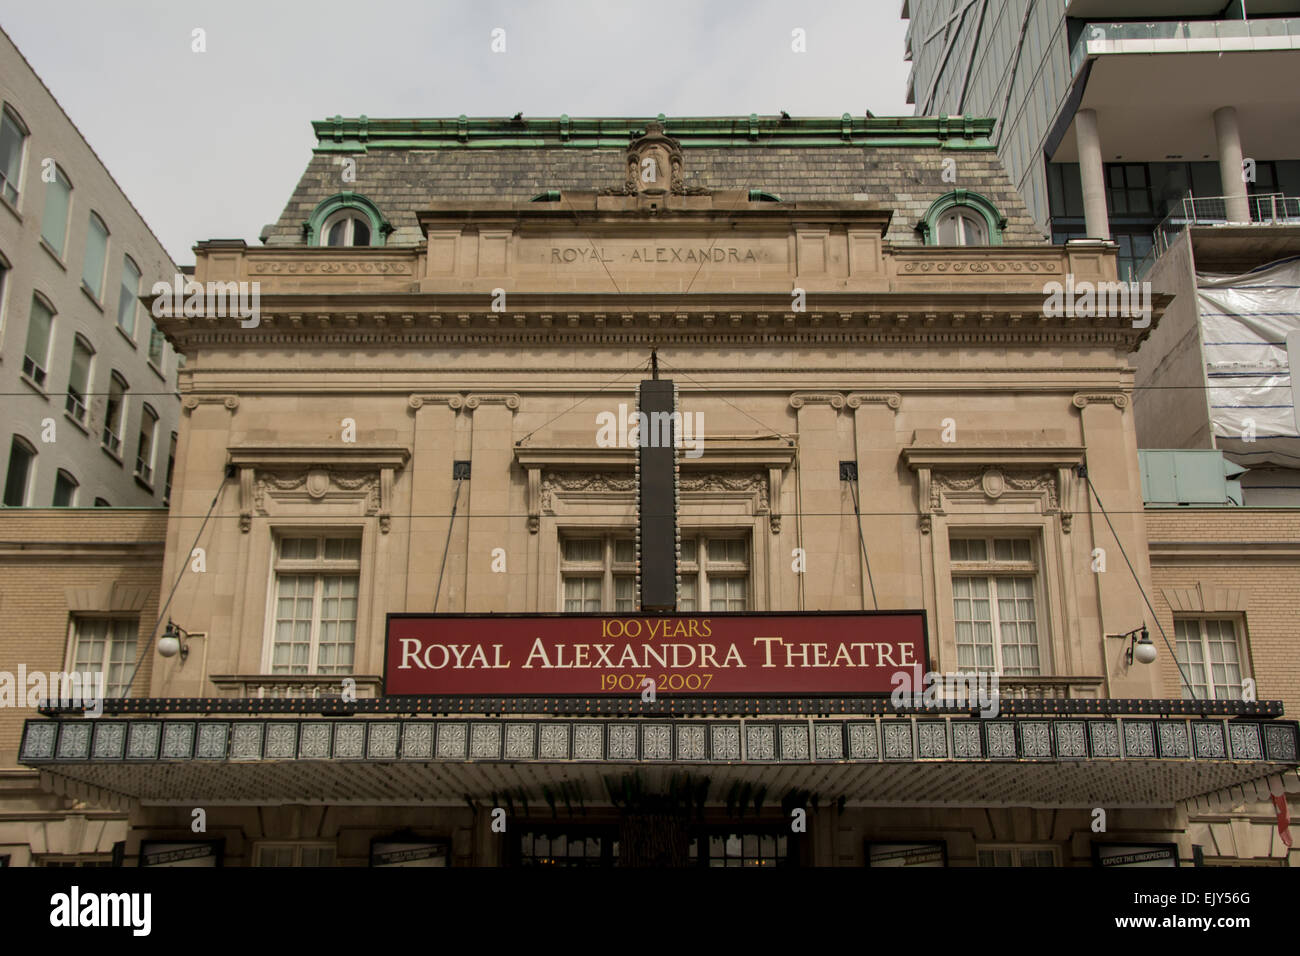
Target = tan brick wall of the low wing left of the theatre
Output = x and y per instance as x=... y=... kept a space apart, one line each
x=57 y=561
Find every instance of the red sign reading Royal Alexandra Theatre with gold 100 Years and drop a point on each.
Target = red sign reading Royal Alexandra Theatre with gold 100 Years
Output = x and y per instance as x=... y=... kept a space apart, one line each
x=811 y=654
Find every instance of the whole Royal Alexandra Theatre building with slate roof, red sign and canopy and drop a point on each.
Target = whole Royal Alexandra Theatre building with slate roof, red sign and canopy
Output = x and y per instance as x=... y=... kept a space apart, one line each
x=579 y=491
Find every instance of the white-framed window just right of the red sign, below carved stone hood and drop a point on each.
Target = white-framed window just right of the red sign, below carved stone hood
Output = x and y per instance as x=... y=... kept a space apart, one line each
x=995 y=605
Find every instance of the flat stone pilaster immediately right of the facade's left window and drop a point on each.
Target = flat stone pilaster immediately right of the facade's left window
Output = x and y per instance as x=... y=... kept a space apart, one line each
x=430 y=490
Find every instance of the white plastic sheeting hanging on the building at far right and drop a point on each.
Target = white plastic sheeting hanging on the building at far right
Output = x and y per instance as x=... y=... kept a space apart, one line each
x=1253 y=396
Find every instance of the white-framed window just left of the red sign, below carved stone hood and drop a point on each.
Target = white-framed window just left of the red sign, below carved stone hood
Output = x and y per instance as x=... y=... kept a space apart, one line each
x=317 y=587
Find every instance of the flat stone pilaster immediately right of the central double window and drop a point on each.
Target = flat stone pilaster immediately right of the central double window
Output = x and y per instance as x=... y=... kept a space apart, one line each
x=826 y=533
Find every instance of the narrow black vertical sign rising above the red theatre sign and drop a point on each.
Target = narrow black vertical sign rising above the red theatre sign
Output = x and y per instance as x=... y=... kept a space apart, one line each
x=657 y=501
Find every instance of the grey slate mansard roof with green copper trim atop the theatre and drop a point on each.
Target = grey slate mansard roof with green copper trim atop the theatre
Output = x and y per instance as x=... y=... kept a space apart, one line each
x=895 y=163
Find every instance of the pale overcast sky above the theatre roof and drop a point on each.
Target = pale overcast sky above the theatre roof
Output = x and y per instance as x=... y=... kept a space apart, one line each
x=210 y=145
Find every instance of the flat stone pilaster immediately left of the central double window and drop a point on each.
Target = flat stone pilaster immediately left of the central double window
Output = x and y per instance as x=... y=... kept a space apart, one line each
x=488 y=511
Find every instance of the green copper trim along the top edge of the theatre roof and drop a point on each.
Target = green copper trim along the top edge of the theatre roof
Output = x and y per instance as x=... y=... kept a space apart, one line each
x=361 y=135
